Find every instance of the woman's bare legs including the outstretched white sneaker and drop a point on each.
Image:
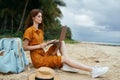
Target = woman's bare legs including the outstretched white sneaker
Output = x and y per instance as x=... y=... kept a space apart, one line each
x=65 y=60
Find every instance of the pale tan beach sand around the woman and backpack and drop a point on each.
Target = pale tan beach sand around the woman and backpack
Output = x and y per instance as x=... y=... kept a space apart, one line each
x=86 y=53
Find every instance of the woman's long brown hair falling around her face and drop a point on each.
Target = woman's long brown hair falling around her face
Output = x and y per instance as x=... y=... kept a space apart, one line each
x=29 y=20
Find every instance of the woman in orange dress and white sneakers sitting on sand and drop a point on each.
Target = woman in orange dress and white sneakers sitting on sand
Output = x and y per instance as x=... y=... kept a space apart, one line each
x=33 y=40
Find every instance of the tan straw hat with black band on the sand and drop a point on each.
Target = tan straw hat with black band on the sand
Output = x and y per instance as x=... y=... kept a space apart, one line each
x=44 y=73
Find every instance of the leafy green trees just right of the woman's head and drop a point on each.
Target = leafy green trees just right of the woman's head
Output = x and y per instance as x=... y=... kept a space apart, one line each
x=52 y=13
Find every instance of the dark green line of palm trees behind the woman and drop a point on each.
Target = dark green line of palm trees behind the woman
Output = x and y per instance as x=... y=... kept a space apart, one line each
x=13 y=14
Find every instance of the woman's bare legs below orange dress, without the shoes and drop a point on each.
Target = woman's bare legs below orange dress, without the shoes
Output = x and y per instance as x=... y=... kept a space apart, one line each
x=72 y=63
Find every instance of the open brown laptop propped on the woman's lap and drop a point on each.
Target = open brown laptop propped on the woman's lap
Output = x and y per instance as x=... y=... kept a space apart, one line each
x=62 y=37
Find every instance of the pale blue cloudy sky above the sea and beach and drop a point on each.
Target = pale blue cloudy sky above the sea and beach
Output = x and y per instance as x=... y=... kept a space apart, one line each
x=92 y=20
